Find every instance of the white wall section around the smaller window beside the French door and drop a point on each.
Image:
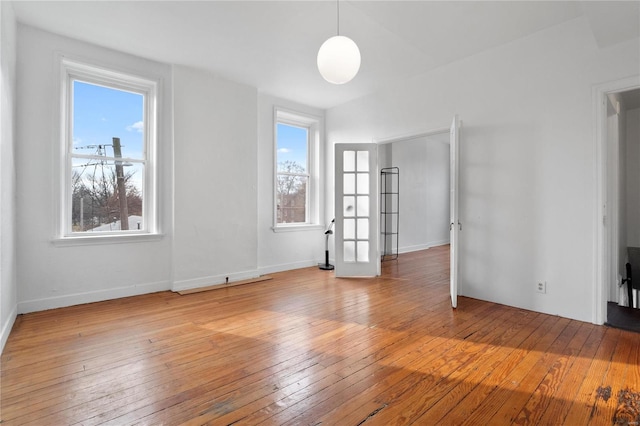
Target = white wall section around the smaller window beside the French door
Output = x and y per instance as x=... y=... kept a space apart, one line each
x=280 y=251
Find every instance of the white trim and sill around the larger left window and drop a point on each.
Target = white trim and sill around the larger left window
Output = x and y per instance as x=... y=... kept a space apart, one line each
x=69 y=70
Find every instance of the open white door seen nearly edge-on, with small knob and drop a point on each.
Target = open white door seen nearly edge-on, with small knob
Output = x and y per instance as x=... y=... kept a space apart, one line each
x=454 y=227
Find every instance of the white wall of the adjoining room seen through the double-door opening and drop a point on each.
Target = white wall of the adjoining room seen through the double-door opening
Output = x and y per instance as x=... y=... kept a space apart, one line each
x=424 y=193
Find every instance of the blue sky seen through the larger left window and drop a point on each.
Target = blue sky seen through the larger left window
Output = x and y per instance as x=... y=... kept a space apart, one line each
x=101 y=113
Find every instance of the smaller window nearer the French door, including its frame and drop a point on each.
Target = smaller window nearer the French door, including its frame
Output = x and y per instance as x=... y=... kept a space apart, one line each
x=297 y=165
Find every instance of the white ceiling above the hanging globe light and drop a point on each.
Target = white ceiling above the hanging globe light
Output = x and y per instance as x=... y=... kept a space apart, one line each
x=272 y=45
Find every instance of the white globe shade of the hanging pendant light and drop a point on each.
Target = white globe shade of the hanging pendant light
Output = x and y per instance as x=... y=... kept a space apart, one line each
x=338 y=59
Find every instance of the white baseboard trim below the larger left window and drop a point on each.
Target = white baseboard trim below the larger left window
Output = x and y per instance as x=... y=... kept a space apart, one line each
x=90 y=297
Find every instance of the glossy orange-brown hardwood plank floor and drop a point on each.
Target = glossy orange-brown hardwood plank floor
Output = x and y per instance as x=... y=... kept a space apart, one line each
x=306 y=349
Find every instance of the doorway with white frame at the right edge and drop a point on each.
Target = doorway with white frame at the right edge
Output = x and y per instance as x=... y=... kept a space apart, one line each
x=618 y=209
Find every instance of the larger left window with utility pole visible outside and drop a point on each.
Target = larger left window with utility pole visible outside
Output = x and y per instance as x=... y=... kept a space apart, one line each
x=109 y=138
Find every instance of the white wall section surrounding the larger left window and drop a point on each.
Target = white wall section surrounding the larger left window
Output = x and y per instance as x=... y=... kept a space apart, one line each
x=49 y=276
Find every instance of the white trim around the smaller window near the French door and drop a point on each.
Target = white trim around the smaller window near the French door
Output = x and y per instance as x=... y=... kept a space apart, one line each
x=313 y=123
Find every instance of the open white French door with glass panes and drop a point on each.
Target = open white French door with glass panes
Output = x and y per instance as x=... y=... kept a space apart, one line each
x=356 y=204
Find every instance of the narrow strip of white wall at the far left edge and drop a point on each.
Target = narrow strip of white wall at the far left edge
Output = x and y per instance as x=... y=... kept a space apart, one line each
x=8 y=288
